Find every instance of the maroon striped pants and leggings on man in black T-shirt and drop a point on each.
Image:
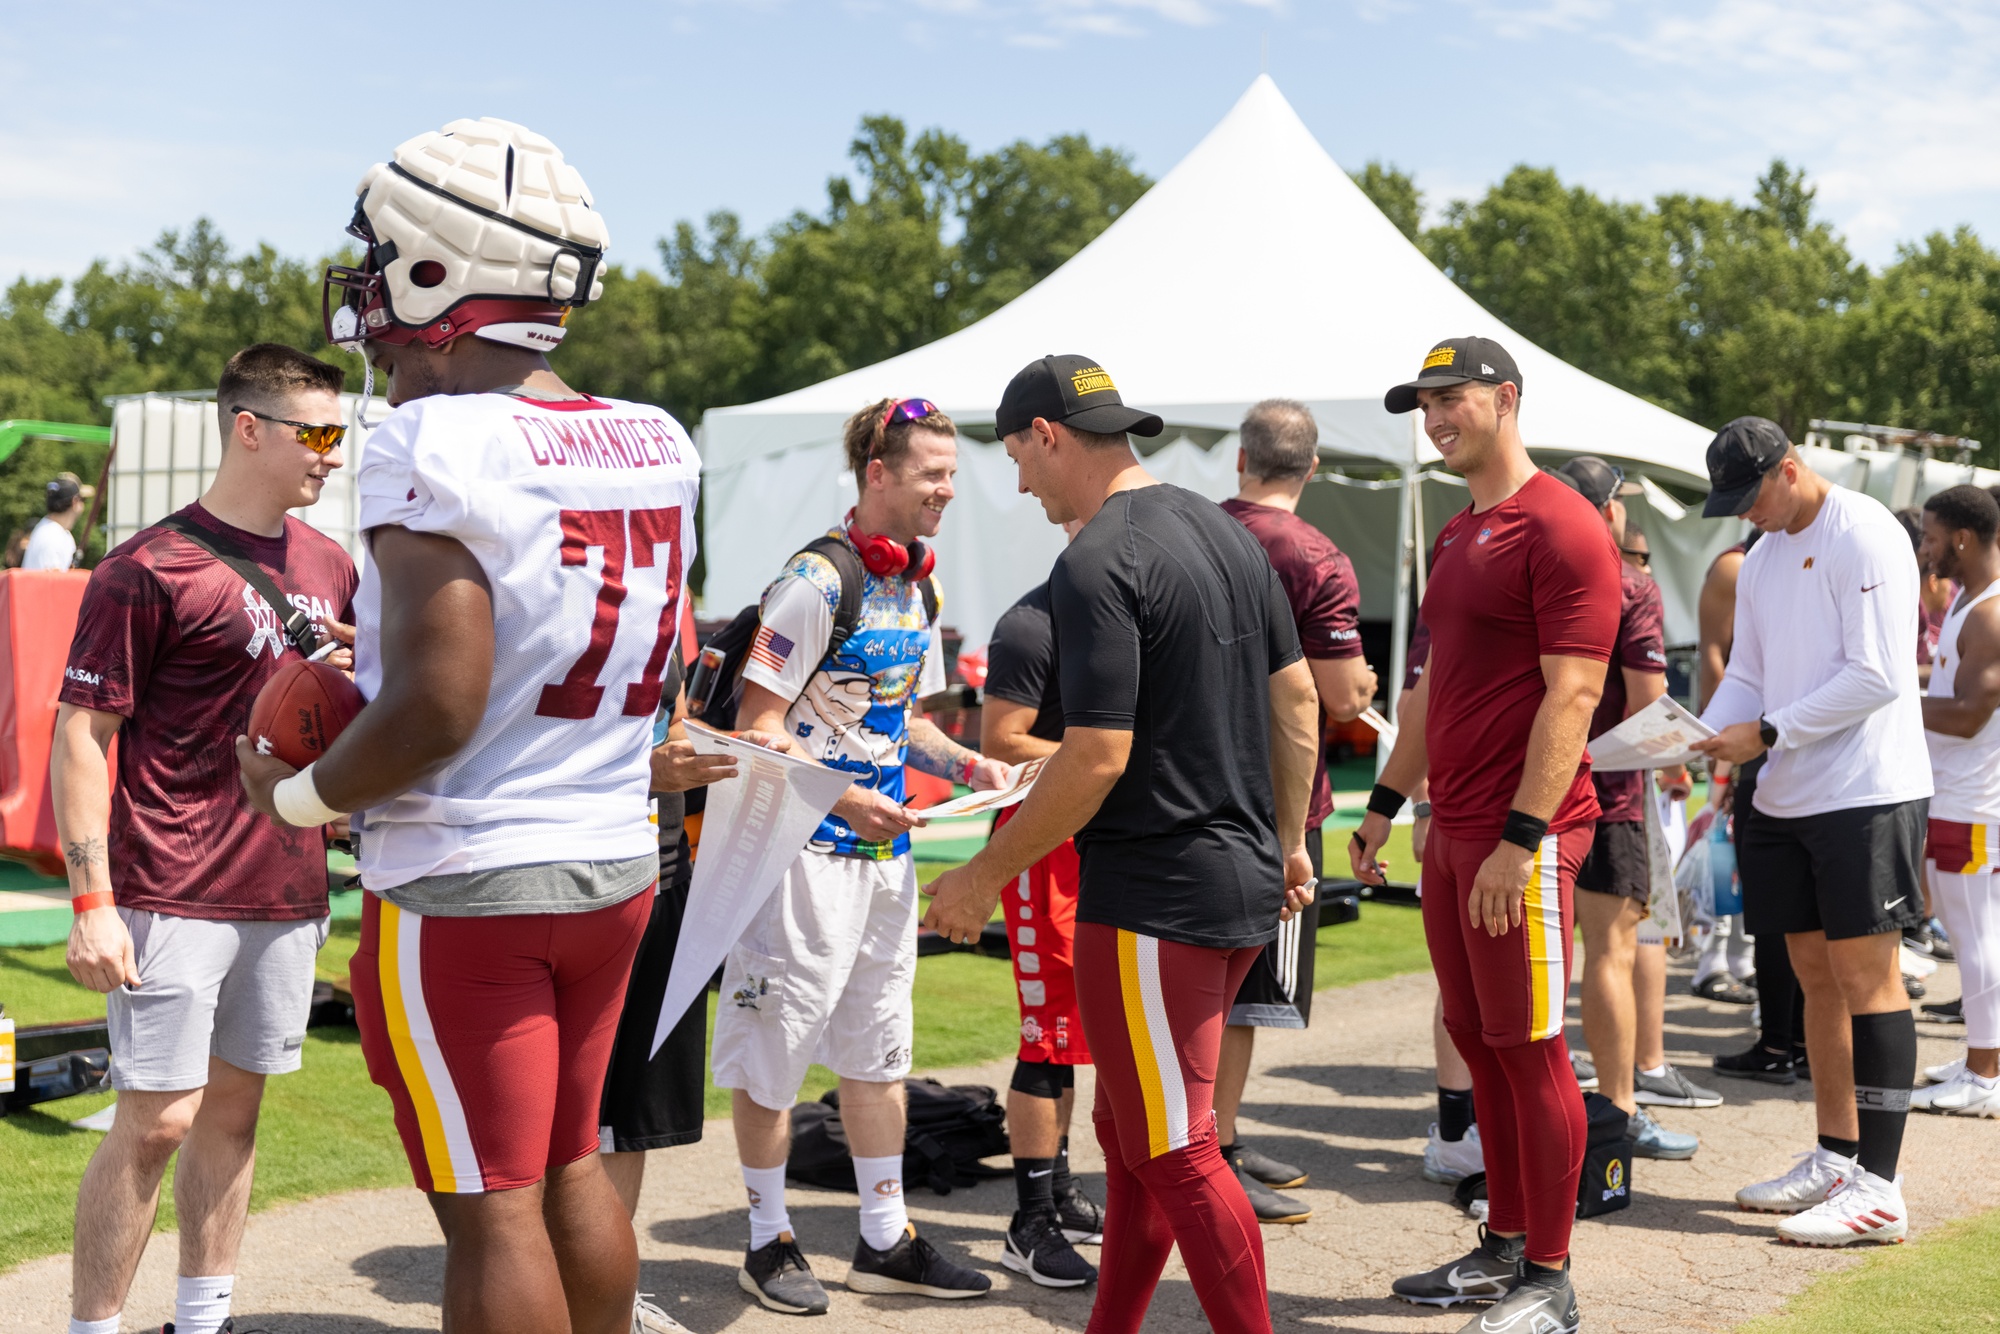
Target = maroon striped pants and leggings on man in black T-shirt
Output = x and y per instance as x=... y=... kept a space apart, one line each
x=1155 y=1015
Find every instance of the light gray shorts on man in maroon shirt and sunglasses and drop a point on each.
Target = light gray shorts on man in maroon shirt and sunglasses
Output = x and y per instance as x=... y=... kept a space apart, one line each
x=239 y=991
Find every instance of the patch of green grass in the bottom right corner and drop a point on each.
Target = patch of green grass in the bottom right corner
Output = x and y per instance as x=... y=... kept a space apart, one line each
x=1943 y=1283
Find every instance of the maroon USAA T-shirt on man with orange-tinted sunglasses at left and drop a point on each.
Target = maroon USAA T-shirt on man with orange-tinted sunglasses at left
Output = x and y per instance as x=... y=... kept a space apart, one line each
x=179 y=645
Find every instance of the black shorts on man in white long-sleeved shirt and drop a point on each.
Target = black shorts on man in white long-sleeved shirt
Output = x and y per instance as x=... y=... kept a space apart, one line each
x=1845 y=873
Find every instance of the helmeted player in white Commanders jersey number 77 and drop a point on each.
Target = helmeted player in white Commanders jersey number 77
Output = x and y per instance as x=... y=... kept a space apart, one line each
x=527 y=555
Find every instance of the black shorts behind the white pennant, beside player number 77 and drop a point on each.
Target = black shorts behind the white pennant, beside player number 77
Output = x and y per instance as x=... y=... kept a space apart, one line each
x=655 y=1101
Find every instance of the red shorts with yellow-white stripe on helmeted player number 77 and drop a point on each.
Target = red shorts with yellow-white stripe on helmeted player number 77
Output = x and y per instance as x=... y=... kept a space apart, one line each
x=493 y=1035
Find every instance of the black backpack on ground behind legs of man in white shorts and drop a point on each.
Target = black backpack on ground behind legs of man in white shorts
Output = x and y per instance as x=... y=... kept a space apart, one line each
x=951 y=1129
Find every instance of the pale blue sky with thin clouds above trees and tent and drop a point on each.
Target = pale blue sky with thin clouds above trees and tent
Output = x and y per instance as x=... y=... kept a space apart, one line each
x=127 y=119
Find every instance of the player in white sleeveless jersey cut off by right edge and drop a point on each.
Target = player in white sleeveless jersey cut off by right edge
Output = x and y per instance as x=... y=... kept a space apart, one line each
x=1963 y=849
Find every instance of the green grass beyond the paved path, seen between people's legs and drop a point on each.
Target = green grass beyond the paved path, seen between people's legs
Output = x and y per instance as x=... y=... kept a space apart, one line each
x=329 y=1129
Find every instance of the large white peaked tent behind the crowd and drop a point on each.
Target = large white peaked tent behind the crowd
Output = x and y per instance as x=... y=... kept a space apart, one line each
x=1255 y=269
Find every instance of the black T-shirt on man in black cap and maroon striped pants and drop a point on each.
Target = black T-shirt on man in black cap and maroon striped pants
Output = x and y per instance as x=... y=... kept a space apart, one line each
x=1169 y=625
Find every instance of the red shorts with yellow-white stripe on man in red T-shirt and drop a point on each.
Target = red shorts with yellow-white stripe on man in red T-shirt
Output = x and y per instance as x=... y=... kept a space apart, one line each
x=1509 y=989
